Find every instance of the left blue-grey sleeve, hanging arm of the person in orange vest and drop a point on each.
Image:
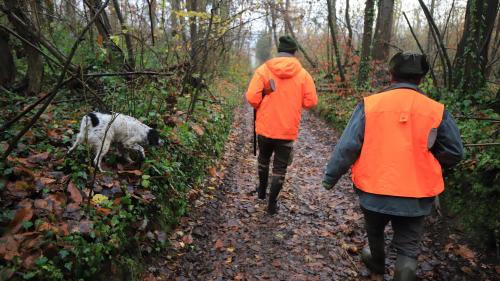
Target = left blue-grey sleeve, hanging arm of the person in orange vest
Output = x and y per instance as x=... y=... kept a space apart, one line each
x=347 y=149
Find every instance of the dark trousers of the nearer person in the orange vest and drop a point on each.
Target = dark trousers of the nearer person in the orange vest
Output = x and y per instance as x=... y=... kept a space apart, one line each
x=408 y=231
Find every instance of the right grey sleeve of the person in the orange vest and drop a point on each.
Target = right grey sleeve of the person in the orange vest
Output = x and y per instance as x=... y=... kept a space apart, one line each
x=448 y=148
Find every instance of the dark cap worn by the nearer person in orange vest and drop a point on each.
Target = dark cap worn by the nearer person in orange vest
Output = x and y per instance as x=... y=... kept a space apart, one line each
x=408 y=65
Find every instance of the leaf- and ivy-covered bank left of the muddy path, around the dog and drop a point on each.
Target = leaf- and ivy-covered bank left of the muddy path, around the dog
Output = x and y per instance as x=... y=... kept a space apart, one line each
x=60 y=220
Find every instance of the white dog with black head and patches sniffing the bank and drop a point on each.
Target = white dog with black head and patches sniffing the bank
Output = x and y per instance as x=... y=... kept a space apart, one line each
x=118 y=128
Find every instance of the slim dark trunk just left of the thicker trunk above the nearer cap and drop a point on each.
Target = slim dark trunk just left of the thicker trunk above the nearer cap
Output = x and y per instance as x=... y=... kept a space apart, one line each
x=367 y=41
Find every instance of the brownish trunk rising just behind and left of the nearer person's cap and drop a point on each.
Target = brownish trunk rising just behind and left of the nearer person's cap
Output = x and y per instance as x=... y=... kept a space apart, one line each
x=383 y=30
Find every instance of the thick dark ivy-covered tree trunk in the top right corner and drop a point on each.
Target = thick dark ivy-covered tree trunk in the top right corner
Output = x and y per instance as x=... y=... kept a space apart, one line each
x=472 y=51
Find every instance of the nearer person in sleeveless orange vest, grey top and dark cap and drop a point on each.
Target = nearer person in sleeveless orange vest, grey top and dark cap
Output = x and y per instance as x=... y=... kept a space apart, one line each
x=397 y=142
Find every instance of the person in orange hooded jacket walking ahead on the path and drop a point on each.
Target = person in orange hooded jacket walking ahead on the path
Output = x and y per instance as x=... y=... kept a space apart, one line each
x=278 y=91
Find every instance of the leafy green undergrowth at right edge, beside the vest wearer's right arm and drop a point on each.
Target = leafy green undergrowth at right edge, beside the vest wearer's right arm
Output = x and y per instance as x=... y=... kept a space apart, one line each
x=472 y=195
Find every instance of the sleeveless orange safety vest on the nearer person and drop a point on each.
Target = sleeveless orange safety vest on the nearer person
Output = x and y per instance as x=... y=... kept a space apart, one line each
x=395 y=159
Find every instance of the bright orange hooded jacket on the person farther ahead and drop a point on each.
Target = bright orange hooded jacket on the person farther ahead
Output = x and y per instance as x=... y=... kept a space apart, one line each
x=279 y=112
